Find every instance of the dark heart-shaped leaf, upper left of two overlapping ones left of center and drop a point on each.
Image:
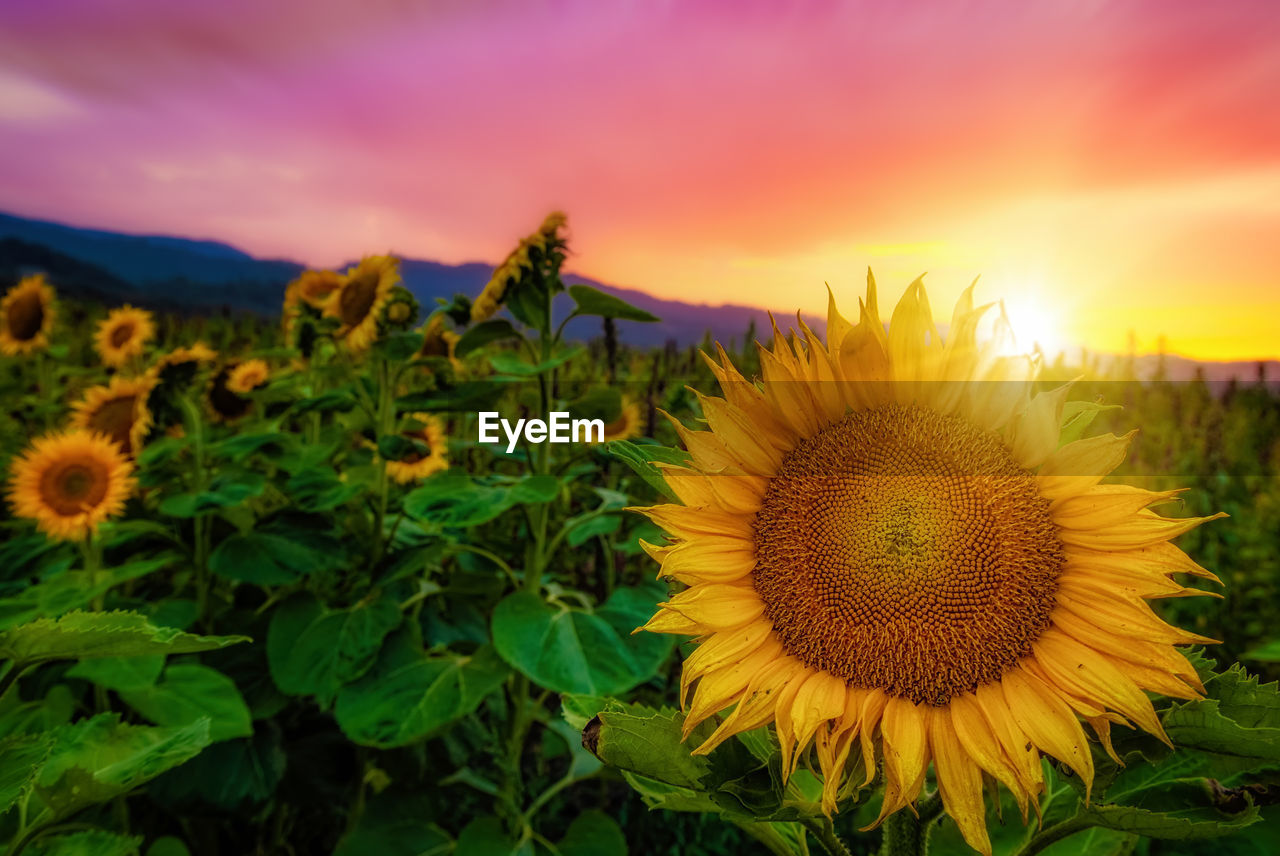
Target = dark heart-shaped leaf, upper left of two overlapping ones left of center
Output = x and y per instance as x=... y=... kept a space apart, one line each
x=313 y=651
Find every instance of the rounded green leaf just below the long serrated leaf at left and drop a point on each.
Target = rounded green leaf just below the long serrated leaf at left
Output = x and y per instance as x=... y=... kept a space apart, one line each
x=189 y=693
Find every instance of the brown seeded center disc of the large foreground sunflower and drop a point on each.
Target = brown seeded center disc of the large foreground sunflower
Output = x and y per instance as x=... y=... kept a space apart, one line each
x=907 y=551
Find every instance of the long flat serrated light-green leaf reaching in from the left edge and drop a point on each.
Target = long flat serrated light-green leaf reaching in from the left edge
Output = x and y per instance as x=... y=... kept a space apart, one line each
x=92 y=635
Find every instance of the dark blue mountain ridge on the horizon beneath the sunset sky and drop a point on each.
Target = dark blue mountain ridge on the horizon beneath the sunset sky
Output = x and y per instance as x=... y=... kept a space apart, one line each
x=204 y=276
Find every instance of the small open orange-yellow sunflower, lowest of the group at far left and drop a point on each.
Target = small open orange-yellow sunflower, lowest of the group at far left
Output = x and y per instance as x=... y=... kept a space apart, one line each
x=71 y=483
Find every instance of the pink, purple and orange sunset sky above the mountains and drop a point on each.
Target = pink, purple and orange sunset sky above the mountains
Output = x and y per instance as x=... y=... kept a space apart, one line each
x=1105 y=167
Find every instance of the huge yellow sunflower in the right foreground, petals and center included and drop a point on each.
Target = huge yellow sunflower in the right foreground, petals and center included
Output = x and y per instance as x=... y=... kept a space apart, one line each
x=889 y=555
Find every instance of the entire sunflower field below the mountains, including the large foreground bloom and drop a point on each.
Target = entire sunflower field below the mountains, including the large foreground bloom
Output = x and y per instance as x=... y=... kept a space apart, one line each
x=883 y=590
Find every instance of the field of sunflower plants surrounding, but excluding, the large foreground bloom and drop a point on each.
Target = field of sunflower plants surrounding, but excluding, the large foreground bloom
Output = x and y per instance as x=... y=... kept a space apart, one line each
x=263 y=592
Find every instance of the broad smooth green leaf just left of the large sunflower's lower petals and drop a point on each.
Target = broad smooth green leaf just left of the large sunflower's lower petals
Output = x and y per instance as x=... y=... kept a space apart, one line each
x=573 y=651
